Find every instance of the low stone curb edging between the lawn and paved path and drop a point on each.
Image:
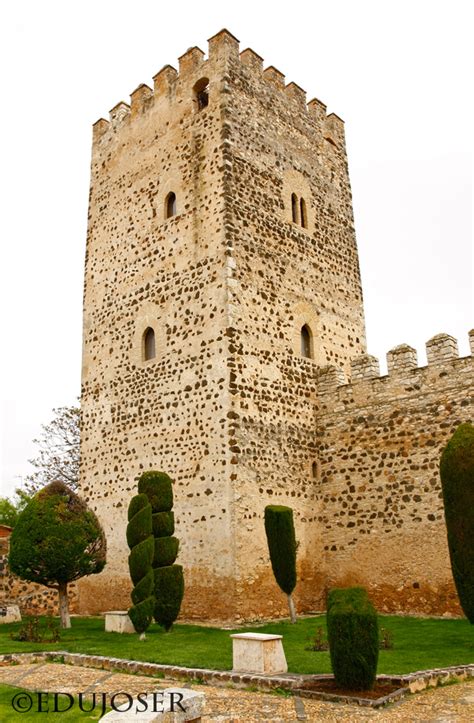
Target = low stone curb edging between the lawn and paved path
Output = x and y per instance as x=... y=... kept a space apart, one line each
x=410 y=683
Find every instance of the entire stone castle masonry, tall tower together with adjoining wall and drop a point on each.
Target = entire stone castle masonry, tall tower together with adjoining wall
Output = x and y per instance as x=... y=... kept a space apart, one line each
x=224 y=342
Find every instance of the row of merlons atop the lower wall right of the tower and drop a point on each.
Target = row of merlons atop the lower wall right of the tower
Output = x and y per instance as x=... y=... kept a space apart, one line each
x=402 y=365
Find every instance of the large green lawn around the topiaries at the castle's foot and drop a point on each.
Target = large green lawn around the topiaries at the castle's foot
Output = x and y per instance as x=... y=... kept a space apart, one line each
x=419 y=643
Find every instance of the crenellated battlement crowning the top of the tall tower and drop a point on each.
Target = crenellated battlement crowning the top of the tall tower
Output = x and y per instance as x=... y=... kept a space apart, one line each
x=170 y=85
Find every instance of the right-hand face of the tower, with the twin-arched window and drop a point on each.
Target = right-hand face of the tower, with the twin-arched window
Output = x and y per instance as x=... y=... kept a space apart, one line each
x=284 y=275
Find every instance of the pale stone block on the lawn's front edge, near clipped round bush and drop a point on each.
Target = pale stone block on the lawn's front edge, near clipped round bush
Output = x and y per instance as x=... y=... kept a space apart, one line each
x=258 y=653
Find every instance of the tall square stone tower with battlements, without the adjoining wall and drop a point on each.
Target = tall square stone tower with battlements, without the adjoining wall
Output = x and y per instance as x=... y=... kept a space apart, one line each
x=221 y=275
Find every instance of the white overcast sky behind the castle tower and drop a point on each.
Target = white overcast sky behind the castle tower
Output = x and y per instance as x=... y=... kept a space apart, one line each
x=399 y=74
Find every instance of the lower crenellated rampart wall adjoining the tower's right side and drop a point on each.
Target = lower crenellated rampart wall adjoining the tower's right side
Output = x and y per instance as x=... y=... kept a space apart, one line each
x=379 y=441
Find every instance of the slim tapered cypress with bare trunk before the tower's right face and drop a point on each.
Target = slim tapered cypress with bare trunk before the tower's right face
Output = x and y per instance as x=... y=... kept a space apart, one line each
x=280 y=531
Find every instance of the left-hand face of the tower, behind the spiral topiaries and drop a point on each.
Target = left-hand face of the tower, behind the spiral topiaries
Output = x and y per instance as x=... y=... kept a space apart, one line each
x=170 y=274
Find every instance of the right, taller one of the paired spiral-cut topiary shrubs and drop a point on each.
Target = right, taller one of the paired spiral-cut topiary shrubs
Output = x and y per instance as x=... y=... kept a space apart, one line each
x=168 y=577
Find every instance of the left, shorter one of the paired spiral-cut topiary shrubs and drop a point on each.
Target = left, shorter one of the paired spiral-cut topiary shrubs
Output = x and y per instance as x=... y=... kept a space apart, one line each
x=141 y=543
